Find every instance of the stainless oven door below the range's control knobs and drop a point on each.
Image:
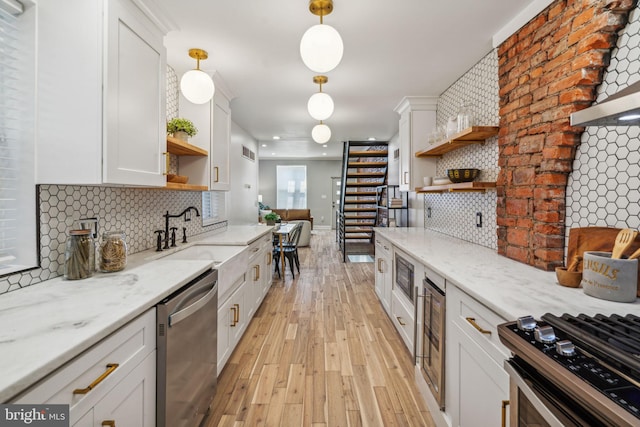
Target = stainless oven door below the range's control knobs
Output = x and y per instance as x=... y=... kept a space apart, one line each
x=535 y=401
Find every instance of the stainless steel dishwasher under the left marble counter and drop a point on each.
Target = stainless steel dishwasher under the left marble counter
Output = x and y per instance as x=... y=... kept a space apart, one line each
x=187 y=352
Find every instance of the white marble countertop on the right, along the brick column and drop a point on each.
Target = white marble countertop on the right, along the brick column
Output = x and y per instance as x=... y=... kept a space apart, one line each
x=509 y=288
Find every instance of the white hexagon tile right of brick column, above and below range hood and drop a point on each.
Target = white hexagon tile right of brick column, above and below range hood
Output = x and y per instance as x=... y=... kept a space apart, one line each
x=604 y=186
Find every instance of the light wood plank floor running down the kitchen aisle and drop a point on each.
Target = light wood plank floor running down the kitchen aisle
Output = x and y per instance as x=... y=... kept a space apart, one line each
x=320 y=351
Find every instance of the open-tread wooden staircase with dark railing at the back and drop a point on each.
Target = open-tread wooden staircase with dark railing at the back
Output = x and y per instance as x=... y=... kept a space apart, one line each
x=364 y=167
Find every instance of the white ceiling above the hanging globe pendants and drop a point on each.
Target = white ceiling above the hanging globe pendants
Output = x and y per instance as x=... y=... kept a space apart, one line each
x=391 y=49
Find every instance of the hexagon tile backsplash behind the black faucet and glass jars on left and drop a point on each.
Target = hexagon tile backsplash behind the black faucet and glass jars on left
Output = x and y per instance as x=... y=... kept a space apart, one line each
x=136 y=211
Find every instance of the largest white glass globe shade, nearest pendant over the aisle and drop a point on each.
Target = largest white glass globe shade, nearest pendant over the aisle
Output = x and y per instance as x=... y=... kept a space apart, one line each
x=321 y=48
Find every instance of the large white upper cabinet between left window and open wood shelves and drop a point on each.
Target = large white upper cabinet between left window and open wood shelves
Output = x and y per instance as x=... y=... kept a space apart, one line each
x=101 y=94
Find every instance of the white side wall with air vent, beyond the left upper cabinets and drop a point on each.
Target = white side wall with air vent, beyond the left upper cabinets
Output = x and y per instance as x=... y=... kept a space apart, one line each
x=242 y=202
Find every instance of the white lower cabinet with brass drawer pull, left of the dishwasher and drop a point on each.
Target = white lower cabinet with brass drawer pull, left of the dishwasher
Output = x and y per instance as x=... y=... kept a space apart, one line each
x=115 y=380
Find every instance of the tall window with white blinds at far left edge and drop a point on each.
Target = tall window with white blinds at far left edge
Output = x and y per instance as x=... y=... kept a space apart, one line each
x=18 y=230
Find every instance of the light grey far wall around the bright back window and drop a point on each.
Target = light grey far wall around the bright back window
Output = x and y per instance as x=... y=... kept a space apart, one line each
x=319 y=173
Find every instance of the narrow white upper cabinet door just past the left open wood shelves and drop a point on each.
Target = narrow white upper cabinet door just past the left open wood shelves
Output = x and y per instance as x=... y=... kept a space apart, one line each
x=219 y=153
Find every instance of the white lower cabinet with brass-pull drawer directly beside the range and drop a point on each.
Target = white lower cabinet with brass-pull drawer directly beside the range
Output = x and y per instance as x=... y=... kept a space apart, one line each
x=476 y=383
